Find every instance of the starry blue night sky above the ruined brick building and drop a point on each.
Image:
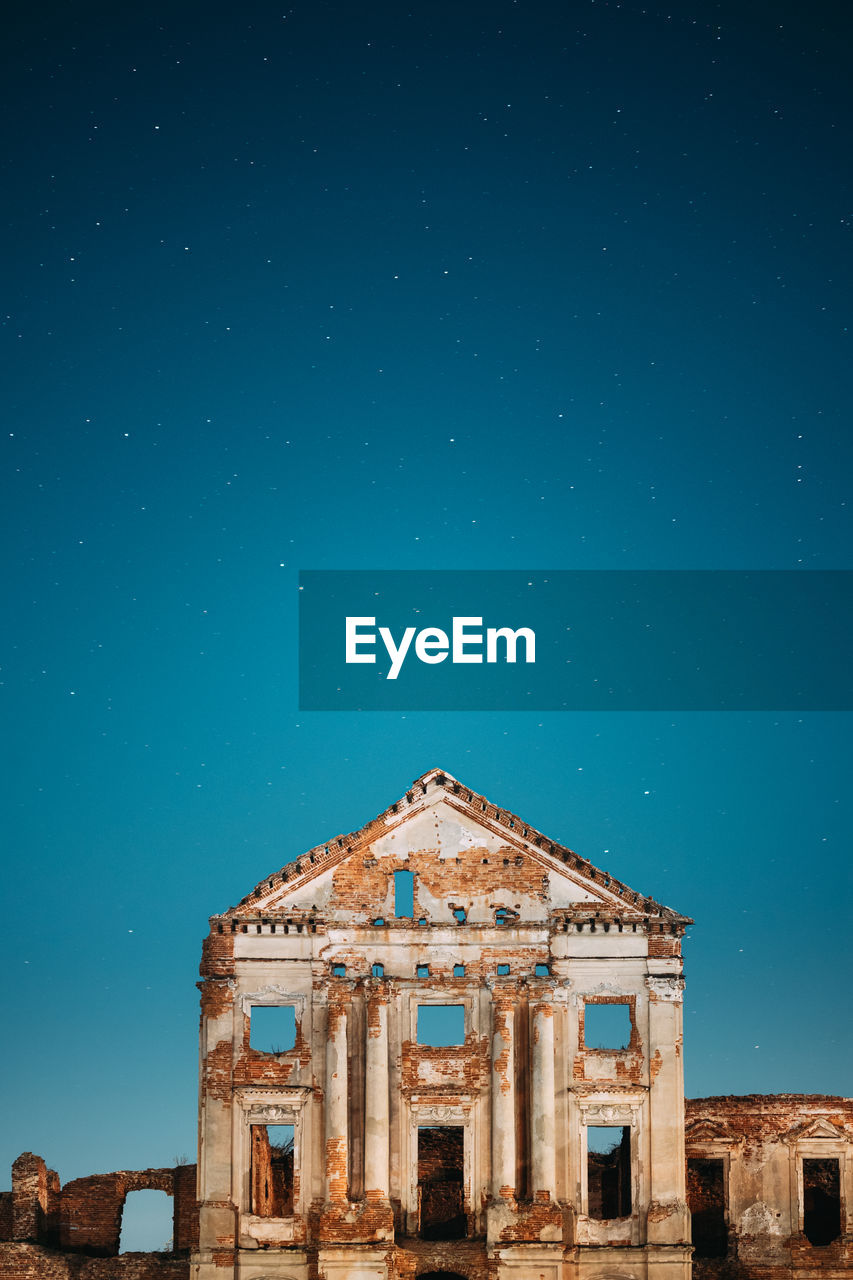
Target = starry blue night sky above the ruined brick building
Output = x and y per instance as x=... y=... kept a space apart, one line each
x=403 y=286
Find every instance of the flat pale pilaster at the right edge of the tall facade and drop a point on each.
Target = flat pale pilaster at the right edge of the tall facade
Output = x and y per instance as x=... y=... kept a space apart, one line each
x=668 y=1213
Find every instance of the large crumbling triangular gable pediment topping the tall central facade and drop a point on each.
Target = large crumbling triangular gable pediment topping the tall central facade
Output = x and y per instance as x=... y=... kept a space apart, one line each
x=468 y=856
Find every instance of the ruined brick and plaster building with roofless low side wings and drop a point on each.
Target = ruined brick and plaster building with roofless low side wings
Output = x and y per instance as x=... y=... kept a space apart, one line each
x=445 y=1046
